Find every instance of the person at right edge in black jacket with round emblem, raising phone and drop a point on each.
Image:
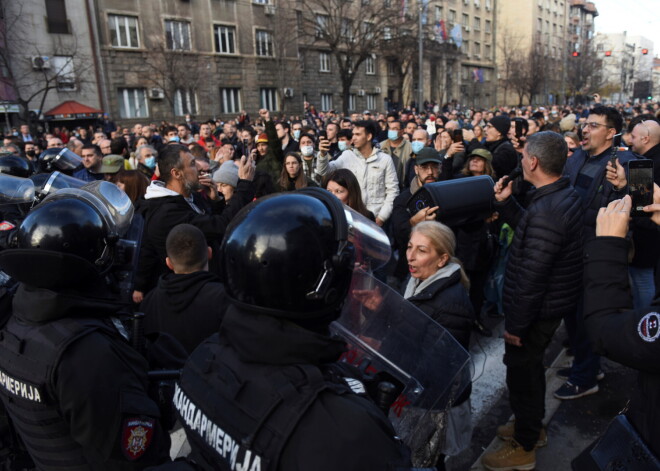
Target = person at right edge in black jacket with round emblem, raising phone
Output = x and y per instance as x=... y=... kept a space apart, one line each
x=626 y=335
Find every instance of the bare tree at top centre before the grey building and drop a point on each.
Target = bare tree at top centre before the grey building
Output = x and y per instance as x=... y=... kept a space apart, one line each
x=351 y=30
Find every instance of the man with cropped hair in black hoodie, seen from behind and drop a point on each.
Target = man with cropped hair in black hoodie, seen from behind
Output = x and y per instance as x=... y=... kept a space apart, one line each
x=189 y=303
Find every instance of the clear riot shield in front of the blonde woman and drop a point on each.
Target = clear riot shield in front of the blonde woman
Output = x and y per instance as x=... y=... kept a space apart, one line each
x=388 y=335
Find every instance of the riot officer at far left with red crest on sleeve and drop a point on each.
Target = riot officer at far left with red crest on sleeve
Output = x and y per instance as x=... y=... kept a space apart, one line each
x=73 y=387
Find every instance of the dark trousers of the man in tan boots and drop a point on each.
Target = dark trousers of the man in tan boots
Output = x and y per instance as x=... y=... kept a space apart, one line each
x=525 y=378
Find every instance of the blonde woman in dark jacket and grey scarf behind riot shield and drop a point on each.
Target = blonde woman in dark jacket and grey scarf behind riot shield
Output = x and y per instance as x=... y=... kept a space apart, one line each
x=439 y=287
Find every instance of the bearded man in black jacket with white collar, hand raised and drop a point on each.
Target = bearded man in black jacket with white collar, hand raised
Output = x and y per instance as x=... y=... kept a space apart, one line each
x=175 y=200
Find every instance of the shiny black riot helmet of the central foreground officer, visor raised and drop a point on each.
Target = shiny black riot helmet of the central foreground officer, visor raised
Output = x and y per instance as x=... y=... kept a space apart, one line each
x=291 y=255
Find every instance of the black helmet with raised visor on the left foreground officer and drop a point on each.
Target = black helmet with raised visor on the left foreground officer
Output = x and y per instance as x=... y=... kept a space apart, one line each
x=68 y=240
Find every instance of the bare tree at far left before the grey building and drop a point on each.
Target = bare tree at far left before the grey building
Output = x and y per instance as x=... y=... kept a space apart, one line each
x=30 y=72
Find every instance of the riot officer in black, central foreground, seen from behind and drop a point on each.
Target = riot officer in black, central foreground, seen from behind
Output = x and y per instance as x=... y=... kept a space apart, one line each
x=266 y=392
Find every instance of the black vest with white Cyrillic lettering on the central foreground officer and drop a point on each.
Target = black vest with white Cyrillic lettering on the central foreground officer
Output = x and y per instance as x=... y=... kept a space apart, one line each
x=242 y=417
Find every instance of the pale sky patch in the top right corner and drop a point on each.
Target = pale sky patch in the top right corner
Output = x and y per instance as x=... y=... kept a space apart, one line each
x=637 y=17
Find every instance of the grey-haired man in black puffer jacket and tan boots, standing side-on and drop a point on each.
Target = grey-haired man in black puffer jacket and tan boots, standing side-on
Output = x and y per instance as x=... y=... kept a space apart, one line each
x=542 y=284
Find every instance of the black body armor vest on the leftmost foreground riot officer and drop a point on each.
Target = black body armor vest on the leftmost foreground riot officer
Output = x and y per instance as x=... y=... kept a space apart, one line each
x=29 y=356
